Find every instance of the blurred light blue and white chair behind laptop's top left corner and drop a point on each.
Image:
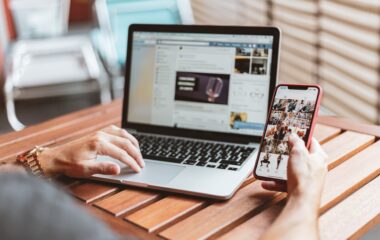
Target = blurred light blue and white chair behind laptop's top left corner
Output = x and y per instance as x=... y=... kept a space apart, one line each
x=115 y=16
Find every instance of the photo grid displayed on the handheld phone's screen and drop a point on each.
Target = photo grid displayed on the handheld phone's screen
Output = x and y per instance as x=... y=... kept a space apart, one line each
x=287 y=116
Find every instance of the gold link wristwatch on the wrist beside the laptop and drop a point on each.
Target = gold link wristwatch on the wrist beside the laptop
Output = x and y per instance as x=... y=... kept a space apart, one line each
x=30 y=161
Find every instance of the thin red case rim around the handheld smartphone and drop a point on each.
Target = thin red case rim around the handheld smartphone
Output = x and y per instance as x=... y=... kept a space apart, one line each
x=312 y=124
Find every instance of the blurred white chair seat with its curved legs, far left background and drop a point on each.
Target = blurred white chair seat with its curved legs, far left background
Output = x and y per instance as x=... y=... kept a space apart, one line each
x=52 y=67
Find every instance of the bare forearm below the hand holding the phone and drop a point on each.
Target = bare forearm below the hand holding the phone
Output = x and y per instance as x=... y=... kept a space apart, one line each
x=298 y=220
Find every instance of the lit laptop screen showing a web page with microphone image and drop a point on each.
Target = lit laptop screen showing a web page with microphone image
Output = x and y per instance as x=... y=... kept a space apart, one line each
x=198 y=81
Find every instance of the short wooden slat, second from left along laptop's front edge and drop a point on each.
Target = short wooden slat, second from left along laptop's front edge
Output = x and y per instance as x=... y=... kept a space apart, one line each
x=126 y=201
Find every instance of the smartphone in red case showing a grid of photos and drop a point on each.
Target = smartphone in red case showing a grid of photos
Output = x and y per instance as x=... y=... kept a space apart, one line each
x=294 y=109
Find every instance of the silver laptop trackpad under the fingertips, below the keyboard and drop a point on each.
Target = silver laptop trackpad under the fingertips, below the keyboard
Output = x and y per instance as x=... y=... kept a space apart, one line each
x=153 y=173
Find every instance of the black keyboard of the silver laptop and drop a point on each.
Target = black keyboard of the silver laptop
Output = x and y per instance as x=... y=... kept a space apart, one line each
x=193 y=152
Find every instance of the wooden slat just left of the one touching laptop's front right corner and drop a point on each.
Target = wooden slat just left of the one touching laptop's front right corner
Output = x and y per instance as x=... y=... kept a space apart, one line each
x=165 y=211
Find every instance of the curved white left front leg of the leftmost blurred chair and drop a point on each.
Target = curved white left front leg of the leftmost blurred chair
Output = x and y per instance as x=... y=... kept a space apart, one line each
x=10 y=107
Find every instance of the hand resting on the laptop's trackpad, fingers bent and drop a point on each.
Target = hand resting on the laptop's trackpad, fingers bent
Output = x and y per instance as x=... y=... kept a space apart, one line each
x=77 y=158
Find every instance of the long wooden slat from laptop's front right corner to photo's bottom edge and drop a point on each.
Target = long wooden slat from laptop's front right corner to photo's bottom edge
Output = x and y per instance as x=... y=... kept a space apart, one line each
x=219 y=216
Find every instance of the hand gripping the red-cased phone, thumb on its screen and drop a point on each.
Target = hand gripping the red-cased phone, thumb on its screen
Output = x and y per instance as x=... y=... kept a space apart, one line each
x=306 y=170
